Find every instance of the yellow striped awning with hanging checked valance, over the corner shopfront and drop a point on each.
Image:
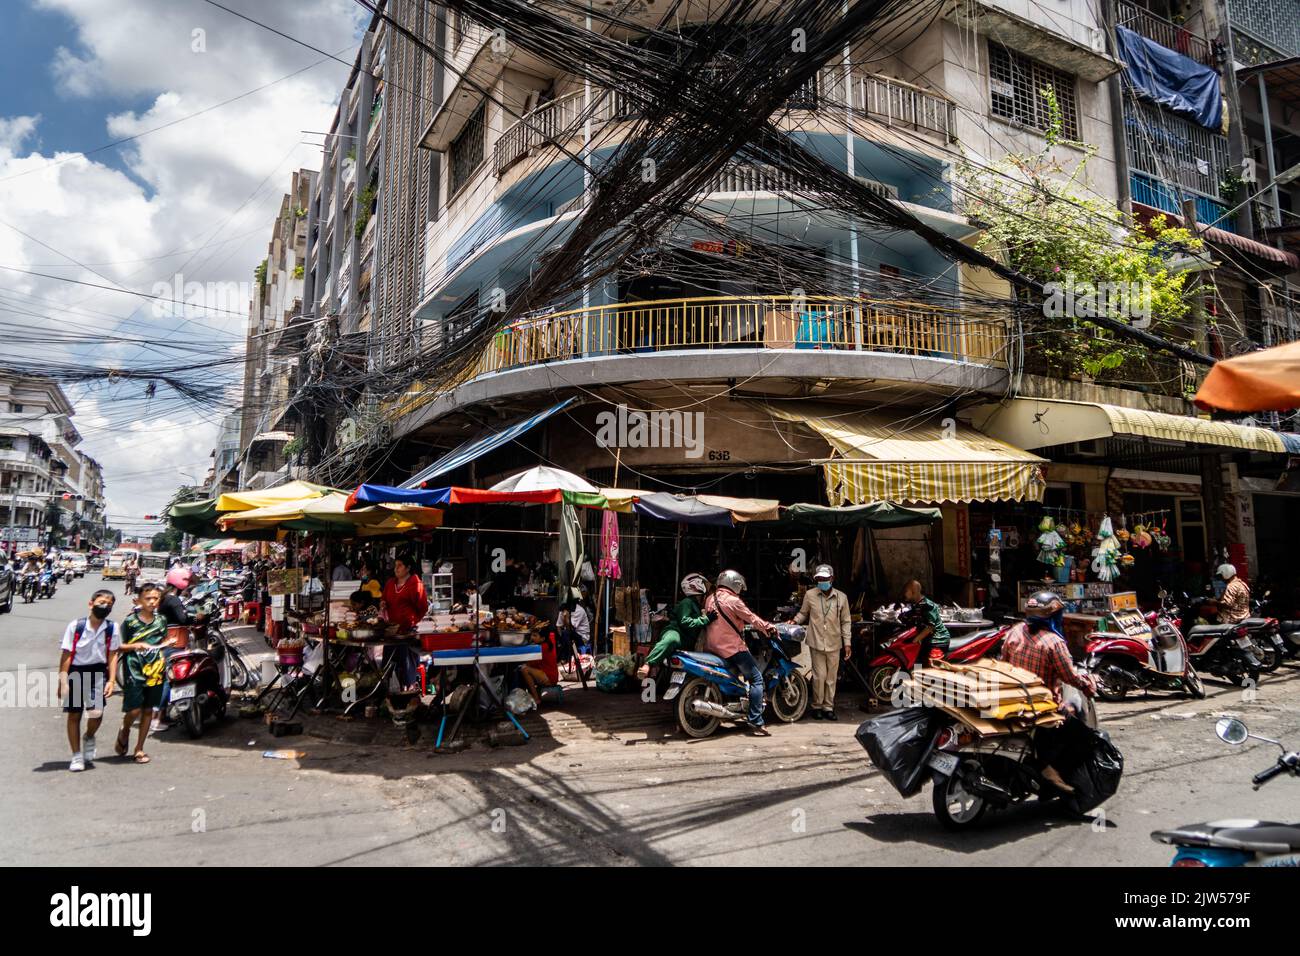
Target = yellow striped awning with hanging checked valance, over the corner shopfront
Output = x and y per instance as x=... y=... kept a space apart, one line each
x=895 y=457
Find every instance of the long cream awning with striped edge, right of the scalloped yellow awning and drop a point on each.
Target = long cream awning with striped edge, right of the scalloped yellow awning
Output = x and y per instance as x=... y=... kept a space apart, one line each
x=1037 y=423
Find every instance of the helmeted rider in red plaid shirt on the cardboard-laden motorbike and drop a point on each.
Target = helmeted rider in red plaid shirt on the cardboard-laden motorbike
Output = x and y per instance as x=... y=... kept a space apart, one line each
x=1037 y=644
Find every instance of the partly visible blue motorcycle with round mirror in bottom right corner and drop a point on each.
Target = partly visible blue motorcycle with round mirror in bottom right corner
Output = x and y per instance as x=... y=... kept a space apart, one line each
x=1240 y=842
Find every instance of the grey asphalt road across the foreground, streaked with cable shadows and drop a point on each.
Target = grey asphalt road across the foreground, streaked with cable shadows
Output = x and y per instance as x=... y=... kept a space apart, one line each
x=805 y=797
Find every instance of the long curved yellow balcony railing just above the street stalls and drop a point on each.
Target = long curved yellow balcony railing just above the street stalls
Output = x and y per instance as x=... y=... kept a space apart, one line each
x=749 y=322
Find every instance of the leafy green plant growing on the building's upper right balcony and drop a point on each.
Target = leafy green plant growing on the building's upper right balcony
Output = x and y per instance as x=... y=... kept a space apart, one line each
x=1043 y=220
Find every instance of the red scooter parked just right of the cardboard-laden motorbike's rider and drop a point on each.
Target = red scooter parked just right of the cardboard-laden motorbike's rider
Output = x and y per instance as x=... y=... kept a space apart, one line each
x=1158 y=661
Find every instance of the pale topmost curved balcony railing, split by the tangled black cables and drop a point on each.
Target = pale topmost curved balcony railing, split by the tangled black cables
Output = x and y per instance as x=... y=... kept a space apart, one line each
x=881 y=98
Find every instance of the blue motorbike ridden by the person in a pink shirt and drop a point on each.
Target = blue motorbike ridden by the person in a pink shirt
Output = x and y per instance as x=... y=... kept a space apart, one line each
x=709 y=694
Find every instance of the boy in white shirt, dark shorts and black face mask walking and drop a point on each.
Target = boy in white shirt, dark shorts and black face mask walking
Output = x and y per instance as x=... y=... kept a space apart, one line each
x=88 y=674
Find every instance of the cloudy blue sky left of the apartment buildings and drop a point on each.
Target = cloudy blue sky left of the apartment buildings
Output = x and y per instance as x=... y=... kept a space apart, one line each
x=193 y=201
